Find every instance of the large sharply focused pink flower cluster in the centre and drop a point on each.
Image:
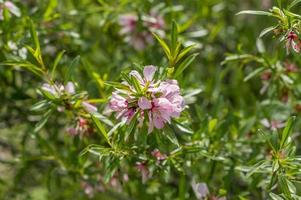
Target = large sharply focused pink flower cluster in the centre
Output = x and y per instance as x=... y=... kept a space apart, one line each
x=160 y=100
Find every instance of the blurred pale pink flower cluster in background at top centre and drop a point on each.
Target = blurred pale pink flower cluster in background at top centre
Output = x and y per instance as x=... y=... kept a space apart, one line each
x=137 y=31
